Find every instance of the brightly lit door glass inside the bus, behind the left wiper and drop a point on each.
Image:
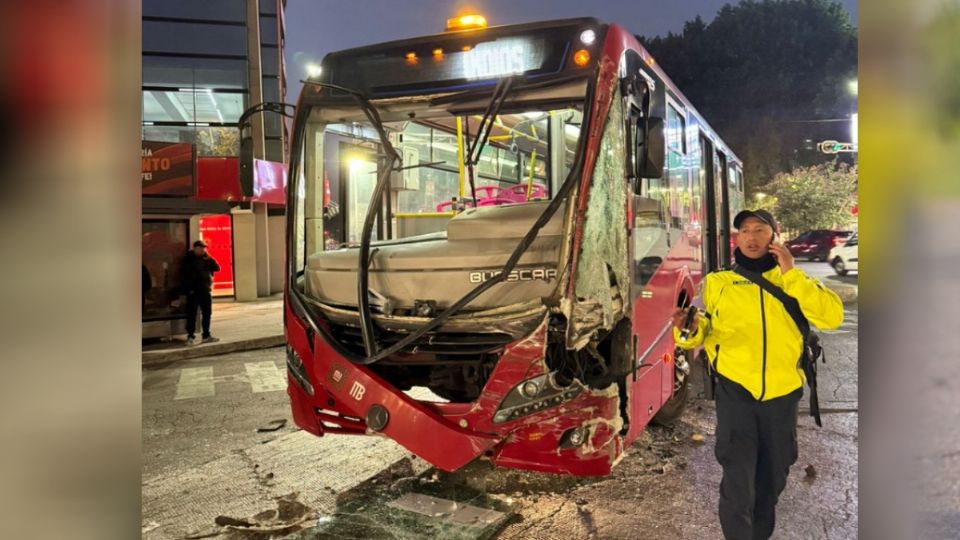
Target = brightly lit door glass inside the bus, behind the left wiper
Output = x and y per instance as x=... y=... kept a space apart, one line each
x=359 y=167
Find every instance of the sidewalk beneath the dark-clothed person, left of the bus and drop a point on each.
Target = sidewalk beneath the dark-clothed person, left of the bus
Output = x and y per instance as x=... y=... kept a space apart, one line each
x=241 y=326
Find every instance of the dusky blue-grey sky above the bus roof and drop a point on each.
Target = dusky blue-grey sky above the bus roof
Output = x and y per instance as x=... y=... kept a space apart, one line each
x=317 y=27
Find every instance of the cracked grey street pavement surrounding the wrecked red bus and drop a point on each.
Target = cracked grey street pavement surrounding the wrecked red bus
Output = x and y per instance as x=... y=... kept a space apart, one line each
x=204 y=457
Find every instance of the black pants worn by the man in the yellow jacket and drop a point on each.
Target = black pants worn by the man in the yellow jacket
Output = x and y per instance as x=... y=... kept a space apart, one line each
x=756 y=445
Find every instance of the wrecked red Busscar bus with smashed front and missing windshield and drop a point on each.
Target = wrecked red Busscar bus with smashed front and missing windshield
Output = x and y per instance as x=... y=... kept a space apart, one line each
x=488 y=230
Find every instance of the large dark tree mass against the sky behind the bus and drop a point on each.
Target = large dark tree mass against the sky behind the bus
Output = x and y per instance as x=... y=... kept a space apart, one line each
x=760 y=72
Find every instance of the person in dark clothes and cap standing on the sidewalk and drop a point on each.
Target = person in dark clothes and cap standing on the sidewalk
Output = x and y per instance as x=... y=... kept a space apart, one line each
x=197 y=271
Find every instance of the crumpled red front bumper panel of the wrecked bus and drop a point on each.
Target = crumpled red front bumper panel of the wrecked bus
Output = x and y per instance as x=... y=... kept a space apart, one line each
x=451 y=435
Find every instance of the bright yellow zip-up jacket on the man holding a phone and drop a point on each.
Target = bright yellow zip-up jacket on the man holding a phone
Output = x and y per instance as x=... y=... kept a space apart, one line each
x=748 y=335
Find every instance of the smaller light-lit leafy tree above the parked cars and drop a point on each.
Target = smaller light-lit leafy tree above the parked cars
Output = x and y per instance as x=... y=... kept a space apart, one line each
x=817 y=197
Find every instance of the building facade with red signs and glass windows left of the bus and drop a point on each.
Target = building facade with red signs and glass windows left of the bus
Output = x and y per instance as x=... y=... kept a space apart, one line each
x=203 y=63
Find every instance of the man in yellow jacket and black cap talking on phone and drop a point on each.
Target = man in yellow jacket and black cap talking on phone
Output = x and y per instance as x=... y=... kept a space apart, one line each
x=754 y=346
